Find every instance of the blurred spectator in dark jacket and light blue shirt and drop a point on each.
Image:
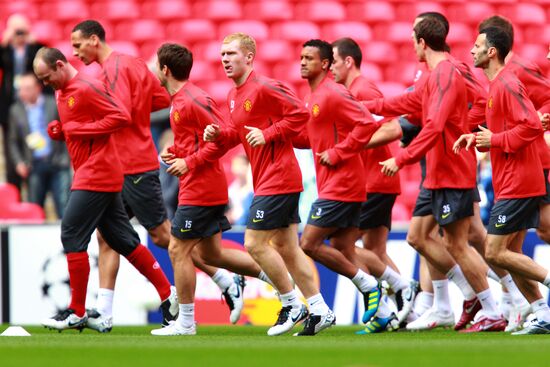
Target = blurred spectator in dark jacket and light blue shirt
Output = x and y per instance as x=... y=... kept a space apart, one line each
x=44 y=162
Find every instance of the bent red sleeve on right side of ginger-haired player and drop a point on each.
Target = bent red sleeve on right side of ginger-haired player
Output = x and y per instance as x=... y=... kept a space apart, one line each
x=286 y=104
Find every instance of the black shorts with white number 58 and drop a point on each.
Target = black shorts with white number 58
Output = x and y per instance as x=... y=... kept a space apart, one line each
x=513 y=215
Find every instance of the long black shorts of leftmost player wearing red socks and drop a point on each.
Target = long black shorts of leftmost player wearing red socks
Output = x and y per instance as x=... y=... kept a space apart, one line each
x=88 y=210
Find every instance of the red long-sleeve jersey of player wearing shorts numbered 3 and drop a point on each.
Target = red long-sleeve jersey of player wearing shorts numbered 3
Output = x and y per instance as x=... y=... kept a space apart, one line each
x=342 y=126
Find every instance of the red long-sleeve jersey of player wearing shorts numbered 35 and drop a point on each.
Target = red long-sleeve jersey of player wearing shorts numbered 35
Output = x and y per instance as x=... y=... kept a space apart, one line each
x=443 y=101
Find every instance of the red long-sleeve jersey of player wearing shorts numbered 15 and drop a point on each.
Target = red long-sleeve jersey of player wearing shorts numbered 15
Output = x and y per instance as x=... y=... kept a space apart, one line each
x=191 y=111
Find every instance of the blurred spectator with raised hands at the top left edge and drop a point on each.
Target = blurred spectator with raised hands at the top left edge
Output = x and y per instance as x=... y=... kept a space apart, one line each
x=17 y=52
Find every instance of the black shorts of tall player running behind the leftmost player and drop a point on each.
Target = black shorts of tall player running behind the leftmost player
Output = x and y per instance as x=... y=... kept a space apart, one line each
x=142 y=197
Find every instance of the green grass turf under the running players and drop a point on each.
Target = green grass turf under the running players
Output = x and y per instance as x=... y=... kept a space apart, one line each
x=249 y=346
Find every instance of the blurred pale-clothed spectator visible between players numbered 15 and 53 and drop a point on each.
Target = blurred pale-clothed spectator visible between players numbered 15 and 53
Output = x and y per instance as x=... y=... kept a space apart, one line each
x=240 y=190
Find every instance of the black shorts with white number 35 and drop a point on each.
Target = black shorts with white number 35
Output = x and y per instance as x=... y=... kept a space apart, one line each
x=450 y=205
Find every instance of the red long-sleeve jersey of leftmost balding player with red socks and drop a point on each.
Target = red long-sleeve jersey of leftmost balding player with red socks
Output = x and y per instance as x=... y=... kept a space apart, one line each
x=89 y=115
